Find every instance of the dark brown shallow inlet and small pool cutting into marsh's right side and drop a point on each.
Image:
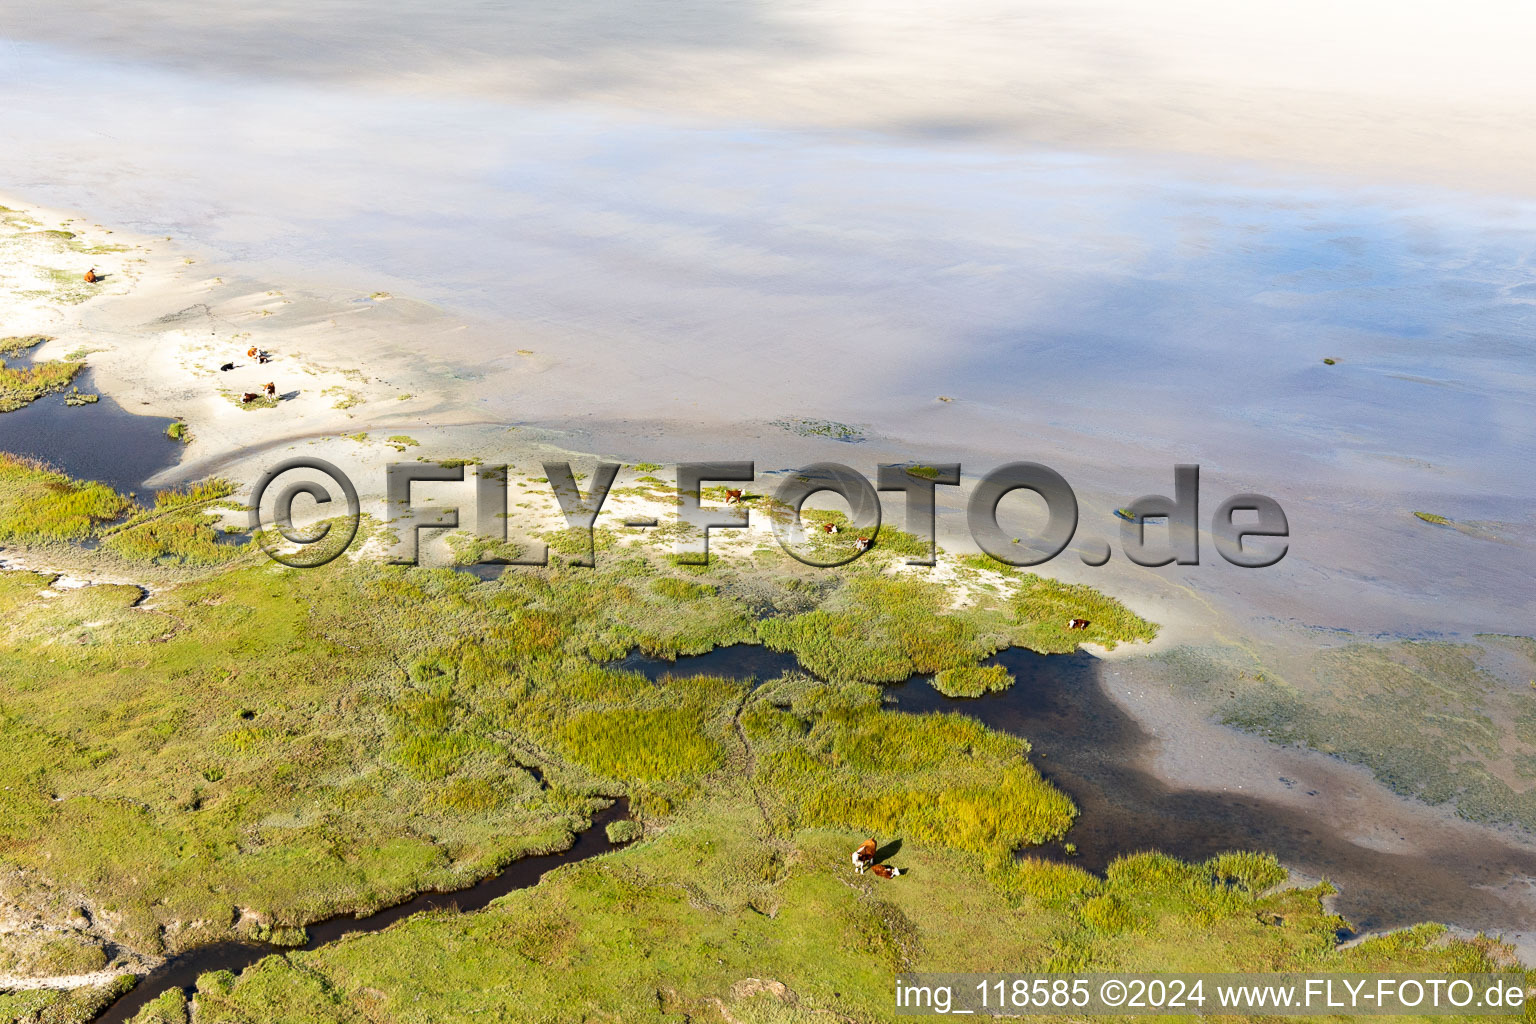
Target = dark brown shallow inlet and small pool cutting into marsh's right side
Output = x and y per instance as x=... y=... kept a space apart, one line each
x=1096 y=753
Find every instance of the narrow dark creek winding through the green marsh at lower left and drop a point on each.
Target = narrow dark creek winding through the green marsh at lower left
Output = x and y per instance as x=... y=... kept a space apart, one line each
x=184 y=971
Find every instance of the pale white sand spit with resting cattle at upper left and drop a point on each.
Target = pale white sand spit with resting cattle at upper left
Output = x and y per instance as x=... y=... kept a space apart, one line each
x=157 y=331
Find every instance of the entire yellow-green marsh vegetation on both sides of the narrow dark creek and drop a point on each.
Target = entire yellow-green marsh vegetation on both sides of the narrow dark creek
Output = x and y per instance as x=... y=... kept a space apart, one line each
x=254 y=748
